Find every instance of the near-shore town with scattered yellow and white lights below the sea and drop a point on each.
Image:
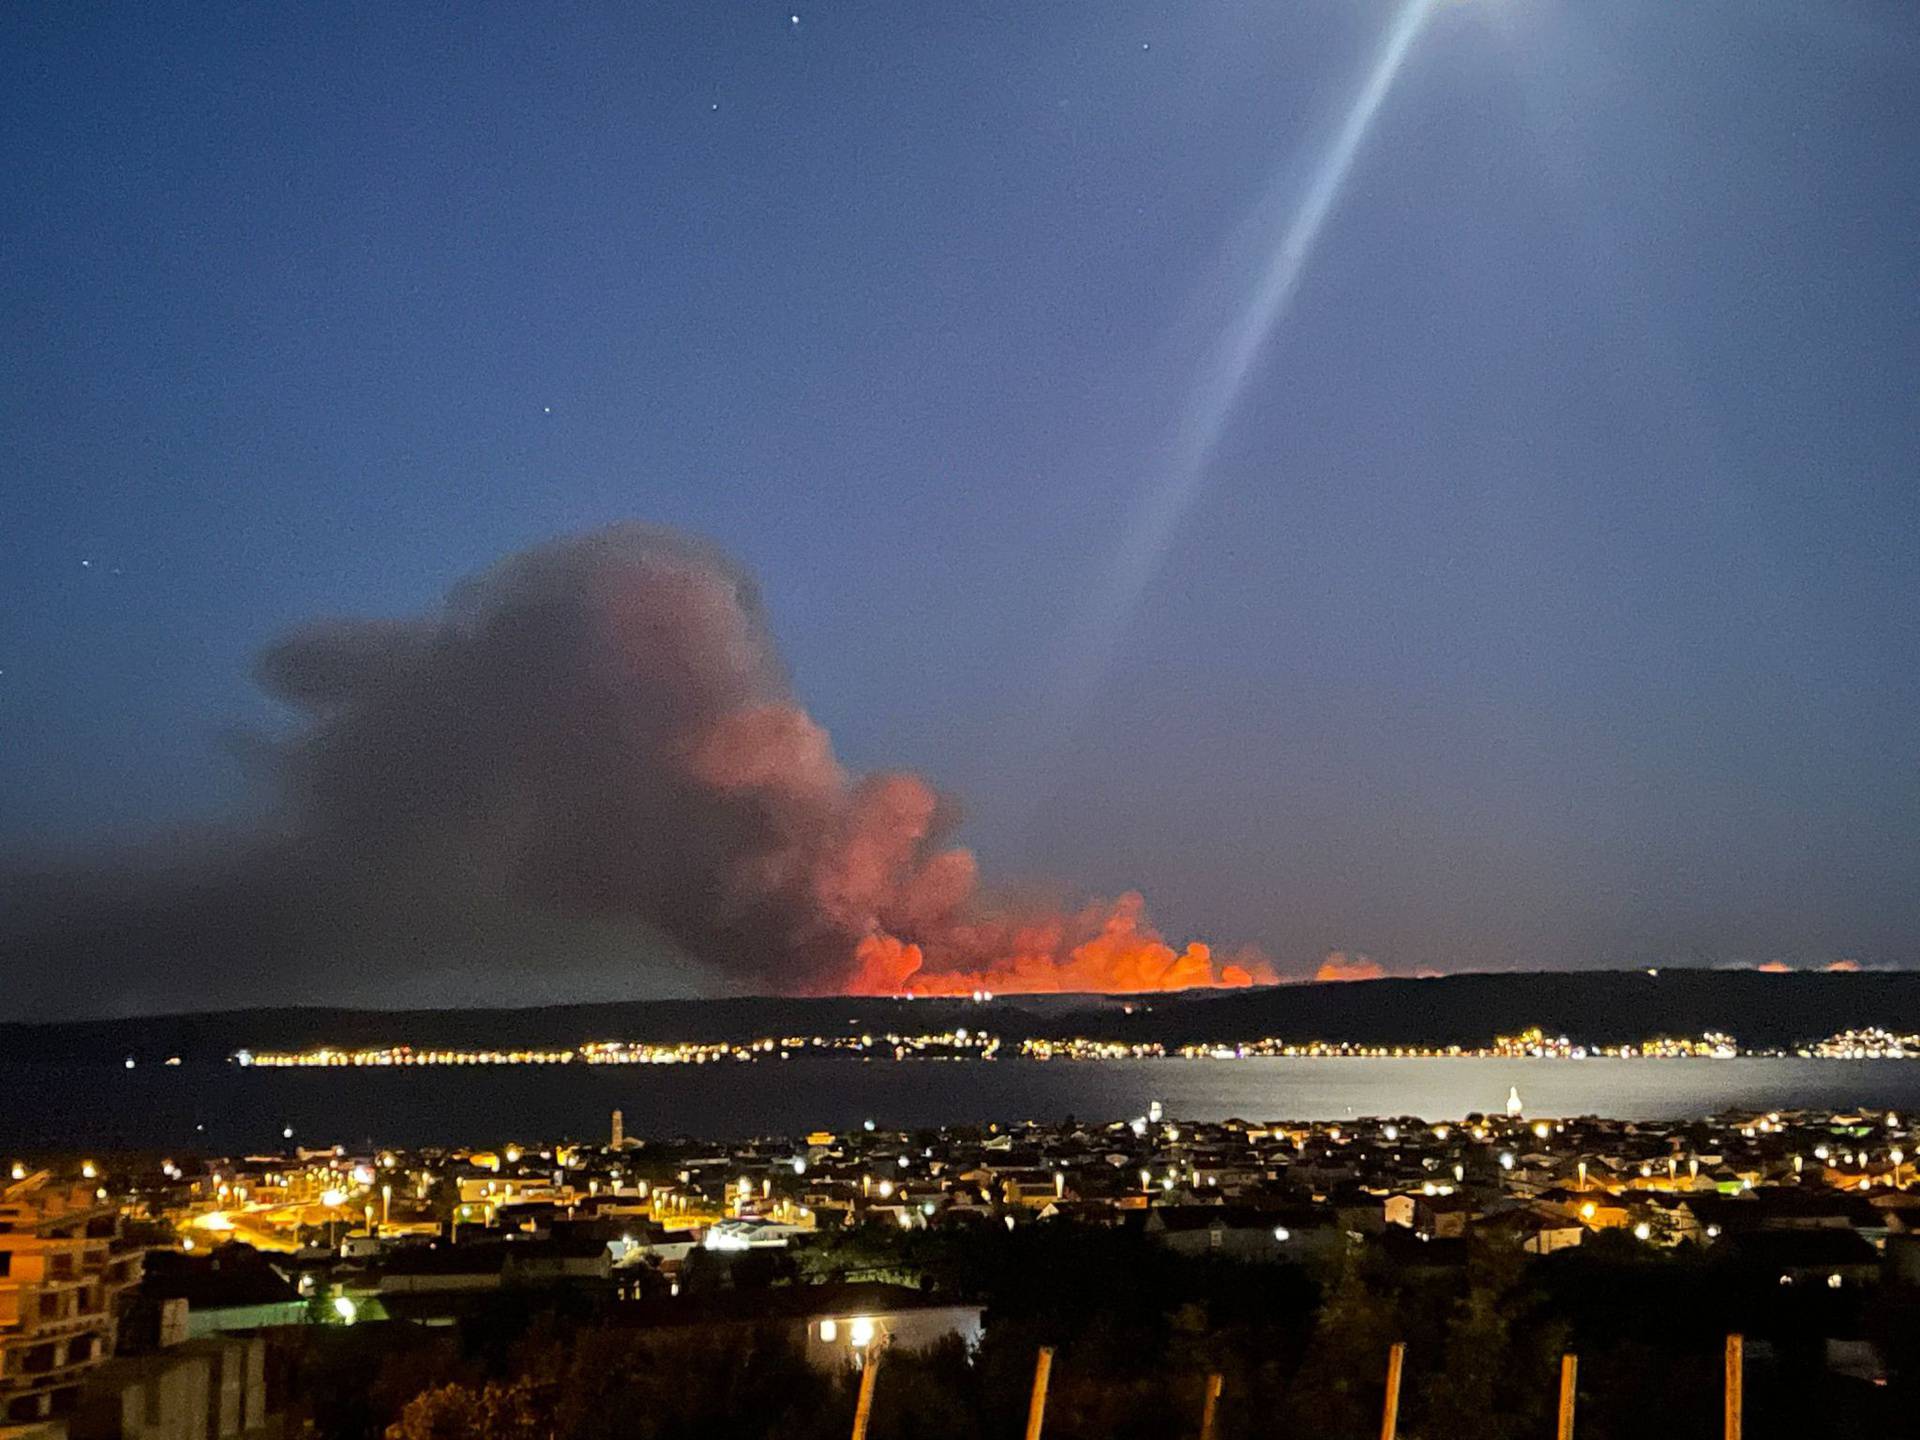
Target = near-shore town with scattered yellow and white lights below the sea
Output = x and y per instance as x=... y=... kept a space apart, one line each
x=124 y=1270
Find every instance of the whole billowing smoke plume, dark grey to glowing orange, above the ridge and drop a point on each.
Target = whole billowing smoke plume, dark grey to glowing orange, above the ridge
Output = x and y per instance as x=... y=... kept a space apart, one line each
x=590 y=744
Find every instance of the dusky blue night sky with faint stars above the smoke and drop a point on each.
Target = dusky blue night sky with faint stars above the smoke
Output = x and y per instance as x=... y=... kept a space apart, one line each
x=1550 y=596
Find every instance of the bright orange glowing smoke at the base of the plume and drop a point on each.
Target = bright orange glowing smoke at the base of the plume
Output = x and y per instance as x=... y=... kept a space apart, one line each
x=1109 y=949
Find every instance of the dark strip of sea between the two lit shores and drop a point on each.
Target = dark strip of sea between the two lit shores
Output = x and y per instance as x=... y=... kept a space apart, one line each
x=231 y=1111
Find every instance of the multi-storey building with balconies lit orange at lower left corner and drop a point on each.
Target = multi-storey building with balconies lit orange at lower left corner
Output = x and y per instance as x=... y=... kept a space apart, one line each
x=62 y=1278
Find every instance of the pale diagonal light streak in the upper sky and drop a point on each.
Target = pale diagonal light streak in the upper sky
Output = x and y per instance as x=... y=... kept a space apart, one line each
x=1230 y=364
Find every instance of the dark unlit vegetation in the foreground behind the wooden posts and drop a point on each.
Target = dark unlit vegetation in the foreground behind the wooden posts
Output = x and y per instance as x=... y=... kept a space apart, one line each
x=1136 y=1333
